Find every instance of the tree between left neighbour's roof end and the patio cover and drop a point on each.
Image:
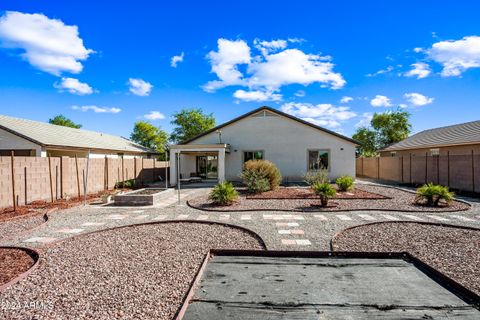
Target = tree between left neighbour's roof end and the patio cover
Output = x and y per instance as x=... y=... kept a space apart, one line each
x=146 y=134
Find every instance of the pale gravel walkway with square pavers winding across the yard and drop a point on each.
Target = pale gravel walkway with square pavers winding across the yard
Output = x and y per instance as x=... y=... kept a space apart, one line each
x=279 y=230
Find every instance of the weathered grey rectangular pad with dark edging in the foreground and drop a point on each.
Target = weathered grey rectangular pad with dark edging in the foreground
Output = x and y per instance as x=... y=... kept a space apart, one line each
x=273 y=288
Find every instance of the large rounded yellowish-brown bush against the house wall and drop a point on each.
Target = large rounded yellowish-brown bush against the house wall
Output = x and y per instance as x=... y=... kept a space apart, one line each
x=255 y=172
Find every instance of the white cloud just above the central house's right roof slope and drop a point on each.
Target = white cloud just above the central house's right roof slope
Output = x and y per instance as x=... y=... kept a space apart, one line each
x=320 y=114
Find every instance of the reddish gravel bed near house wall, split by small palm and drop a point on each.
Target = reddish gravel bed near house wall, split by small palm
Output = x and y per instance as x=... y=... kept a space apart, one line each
x=307 y=193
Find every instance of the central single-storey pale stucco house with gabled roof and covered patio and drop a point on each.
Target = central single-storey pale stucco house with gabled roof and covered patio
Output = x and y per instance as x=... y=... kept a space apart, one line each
x=294 y=145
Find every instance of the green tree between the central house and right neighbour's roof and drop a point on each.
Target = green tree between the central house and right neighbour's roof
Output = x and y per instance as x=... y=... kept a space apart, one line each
x=386 y=128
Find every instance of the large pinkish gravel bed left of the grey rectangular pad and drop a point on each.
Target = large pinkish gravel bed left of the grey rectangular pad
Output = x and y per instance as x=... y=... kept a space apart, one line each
x=140 y=272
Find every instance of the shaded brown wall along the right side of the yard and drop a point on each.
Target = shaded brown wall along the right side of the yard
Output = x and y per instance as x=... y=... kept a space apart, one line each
x=461 y=172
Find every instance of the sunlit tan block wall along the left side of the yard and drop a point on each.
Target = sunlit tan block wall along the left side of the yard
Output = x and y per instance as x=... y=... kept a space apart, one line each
x=53 y=178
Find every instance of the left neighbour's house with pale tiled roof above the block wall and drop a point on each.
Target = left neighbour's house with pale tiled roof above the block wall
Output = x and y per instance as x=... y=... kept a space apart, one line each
x=33 y=138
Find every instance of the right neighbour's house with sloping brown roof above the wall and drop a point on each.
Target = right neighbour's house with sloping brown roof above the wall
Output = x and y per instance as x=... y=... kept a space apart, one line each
x=459 y=139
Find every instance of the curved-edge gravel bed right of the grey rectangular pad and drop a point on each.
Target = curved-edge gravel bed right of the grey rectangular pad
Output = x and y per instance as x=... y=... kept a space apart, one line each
x=453 y=251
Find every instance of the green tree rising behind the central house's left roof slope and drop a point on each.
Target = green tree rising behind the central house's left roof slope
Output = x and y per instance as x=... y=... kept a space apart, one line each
x=190 y=123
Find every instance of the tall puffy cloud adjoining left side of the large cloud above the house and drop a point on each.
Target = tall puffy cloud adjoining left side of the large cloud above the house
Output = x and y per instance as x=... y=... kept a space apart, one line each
x=224 y=63
